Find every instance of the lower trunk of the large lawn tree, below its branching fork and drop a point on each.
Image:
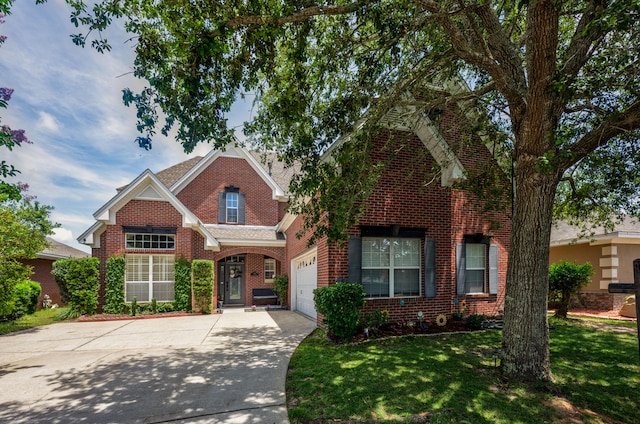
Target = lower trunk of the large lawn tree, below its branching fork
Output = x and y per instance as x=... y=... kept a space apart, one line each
x=525 y=341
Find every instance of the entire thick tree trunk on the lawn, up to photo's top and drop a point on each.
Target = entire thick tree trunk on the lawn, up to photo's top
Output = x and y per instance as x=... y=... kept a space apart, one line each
x=525 y=339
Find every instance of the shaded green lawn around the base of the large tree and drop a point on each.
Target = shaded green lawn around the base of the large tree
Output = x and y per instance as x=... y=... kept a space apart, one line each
x=453 y=379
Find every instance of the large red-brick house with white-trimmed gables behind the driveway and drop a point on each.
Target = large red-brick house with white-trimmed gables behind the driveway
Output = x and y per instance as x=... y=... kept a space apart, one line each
x=419 y=248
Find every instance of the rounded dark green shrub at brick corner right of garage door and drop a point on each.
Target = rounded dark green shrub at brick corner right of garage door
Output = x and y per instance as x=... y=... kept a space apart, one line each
x=339 y=304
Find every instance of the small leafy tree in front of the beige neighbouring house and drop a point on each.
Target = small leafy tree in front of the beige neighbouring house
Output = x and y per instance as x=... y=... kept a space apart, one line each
x=565 y=279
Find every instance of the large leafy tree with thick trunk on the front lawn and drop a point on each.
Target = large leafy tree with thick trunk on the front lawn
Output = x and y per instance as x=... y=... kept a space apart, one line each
x=555 y=82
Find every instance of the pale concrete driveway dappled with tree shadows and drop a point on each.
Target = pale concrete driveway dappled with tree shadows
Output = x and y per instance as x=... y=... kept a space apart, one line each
x=197 y=369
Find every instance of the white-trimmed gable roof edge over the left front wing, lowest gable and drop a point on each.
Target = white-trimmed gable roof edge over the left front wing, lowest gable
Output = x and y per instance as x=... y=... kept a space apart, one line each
x=146 y=186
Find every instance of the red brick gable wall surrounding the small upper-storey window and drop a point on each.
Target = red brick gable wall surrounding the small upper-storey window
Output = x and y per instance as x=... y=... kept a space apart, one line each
x=201 y=195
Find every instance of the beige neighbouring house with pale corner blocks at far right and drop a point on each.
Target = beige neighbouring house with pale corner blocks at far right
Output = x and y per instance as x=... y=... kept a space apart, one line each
x=611 y=253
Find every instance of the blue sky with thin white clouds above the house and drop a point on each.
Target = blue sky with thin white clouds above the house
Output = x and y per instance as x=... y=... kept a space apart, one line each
x=68 y=100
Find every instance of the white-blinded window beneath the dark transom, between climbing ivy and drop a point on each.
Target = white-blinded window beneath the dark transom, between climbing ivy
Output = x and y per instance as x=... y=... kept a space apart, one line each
x=149 y=276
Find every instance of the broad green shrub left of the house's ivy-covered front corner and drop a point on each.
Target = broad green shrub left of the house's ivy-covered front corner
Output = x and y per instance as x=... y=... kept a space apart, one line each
x=79 y=278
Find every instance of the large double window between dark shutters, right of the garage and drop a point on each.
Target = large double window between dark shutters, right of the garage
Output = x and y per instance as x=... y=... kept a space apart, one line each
x=391 y=267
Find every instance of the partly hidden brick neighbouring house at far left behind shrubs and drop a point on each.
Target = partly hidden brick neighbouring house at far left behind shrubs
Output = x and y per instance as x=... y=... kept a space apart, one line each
x=43 y=264
